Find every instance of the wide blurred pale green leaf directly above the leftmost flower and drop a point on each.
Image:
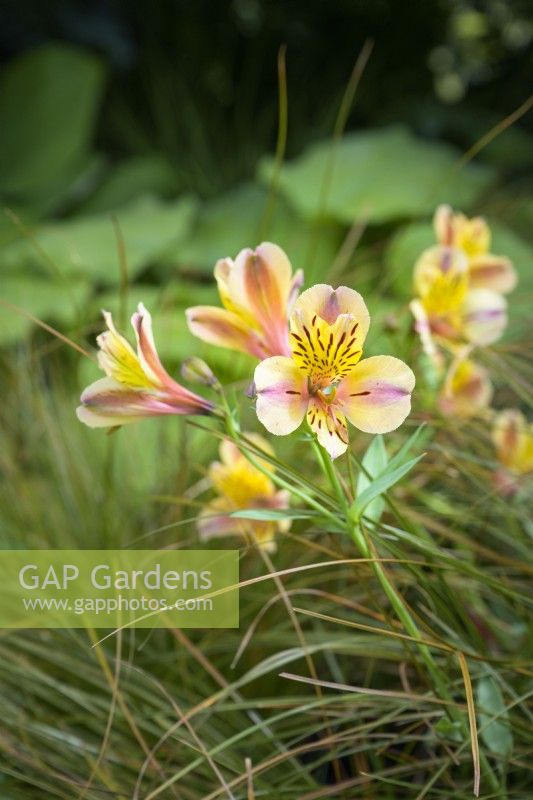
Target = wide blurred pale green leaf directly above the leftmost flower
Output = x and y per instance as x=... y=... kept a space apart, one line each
x=88 y=245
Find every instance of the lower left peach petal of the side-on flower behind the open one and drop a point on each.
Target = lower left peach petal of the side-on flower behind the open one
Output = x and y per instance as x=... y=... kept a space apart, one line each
x=224 y=328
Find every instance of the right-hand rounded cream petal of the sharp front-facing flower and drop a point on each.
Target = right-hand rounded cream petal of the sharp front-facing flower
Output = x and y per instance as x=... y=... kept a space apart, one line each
x=376 y=396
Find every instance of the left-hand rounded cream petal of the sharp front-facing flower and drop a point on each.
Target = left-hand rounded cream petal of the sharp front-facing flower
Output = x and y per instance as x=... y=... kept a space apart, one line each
x=282 y=395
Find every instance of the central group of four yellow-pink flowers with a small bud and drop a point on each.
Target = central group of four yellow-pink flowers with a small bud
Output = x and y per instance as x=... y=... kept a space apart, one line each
x=309 y=350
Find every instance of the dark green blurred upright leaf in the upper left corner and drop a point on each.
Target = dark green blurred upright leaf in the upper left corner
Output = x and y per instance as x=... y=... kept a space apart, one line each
x=49 y=98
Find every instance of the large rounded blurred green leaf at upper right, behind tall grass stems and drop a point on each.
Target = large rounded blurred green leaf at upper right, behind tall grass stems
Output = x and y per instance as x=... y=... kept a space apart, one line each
x=379 y=175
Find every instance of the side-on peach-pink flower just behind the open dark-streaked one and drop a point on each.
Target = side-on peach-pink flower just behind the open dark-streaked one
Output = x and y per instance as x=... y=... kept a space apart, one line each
x=257 y=291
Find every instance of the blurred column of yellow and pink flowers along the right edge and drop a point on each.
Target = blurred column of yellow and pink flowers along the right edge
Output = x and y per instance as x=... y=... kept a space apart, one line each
x=459 y=308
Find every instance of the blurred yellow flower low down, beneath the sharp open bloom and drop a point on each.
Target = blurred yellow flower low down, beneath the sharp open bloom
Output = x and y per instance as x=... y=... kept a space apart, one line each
x=240 y=485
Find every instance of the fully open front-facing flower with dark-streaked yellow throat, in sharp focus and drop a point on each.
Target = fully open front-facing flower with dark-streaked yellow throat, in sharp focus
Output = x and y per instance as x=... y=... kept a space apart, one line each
x=324 y=378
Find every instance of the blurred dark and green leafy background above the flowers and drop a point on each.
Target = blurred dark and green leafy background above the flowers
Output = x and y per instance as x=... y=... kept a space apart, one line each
x=163 y=115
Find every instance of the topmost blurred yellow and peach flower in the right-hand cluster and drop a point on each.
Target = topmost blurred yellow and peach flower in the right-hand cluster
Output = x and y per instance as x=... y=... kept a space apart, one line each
x=473 y=238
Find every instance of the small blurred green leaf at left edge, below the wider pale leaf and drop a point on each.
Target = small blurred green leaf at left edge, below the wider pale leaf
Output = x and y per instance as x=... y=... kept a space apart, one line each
x=47 y=299
